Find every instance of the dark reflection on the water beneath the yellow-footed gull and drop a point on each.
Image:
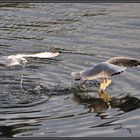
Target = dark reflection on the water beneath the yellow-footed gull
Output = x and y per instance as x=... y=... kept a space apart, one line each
x=99 y=105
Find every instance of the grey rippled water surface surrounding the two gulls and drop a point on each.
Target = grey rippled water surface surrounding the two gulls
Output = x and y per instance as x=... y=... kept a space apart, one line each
x=50 y=104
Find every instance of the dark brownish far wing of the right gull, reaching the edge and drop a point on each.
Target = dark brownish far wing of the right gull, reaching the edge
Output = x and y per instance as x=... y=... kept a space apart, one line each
x=124 y=61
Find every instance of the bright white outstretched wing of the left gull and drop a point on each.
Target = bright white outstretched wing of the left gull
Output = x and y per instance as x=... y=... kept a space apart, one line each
x=39 y=55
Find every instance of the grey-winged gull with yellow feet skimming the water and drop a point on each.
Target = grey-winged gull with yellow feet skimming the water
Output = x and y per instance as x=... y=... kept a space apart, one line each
x=105 y=70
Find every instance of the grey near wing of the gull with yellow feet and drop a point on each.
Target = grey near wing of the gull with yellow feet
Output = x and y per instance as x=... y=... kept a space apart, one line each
x=101 y=70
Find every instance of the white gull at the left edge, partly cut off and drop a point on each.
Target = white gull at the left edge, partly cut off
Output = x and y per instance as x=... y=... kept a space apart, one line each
x=20 y=59
